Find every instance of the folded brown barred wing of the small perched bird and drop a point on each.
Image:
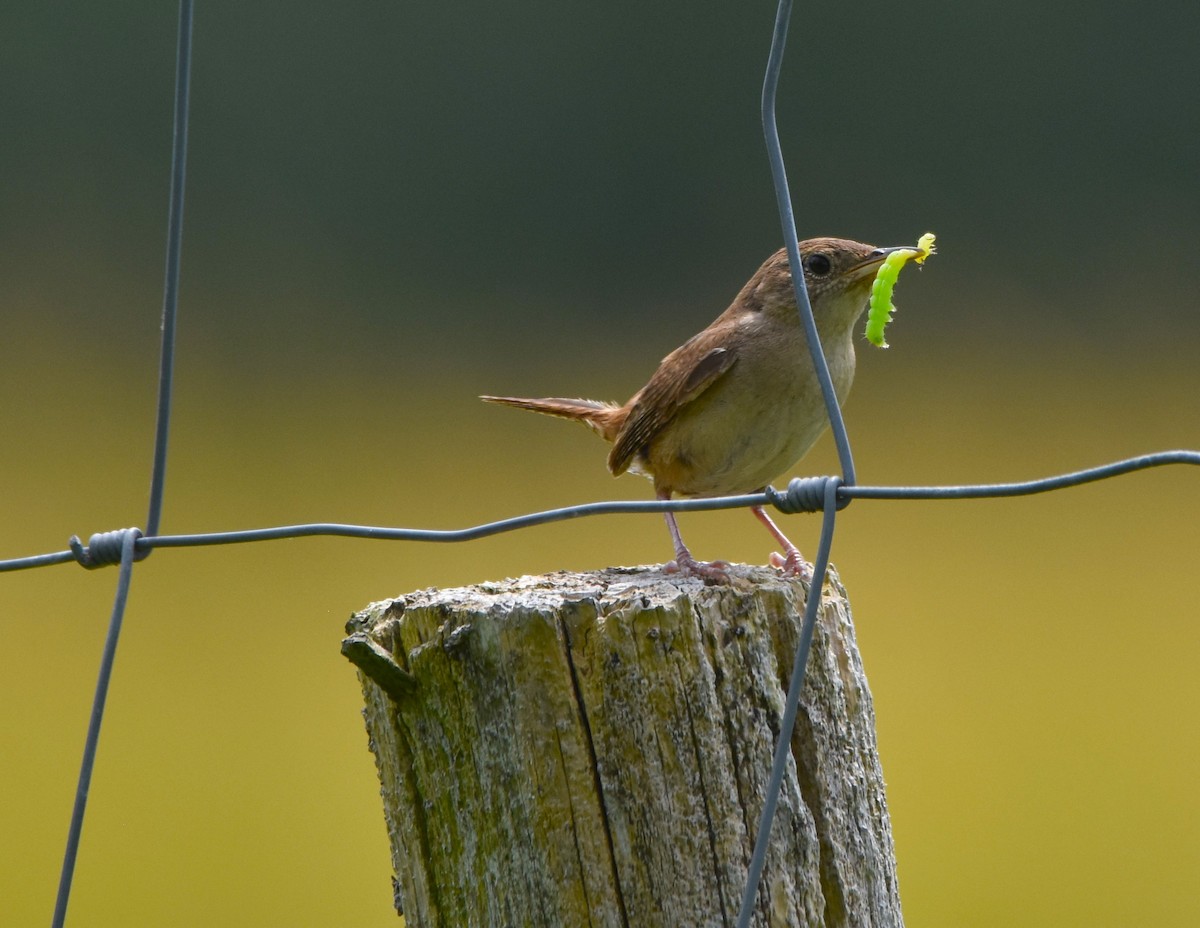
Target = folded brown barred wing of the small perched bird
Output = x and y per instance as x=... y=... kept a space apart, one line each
x=683 y=376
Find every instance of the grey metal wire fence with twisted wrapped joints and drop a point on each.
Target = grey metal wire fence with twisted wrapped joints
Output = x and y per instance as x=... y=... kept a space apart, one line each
x=826 y=495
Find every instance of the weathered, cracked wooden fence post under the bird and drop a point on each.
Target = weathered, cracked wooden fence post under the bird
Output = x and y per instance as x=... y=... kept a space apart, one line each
x=592 y=750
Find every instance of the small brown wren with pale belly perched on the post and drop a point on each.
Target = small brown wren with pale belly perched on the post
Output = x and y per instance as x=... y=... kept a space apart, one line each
x=739 y=404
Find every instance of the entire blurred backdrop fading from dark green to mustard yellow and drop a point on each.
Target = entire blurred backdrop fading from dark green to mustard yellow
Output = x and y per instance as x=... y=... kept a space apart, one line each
x=394 y=208
